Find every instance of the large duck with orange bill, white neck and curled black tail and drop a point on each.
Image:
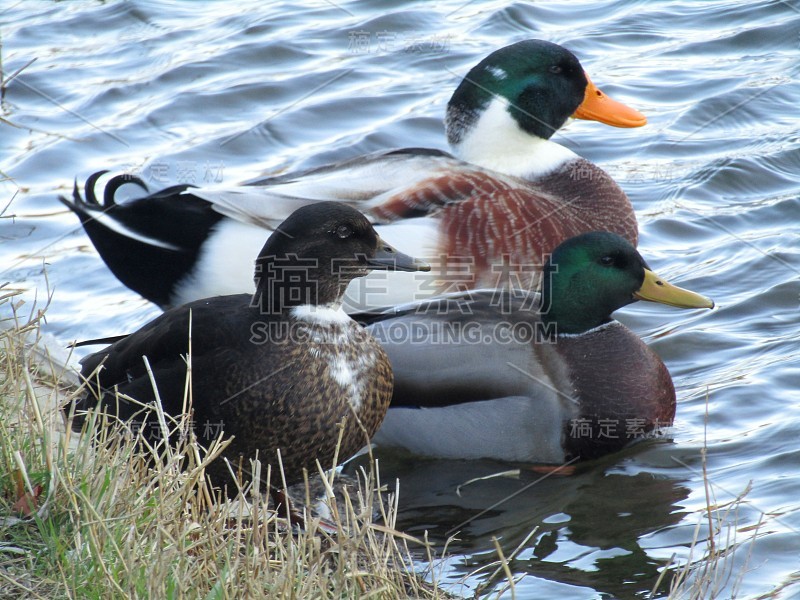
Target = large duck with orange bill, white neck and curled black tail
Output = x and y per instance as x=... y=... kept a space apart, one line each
x=506 y=194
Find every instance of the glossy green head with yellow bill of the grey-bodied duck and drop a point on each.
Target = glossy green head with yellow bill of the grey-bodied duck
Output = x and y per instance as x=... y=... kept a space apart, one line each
x=591 y=275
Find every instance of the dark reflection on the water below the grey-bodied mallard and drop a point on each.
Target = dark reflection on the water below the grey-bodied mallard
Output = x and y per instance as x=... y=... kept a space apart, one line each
x=589 y=523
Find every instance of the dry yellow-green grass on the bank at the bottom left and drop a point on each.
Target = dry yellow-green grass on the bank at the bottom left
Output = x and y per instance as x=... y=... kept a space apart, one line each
x=114 y=518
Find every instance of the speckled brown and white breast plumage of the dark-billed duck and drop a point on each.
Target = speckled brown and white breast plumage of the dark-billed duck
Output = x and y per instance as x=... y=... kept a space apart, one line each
x=268 y=417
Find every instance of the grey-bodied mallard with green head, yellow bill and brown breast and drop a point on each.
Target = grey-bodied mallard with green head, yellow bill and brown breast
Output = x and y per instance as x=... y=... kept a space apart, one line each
x=545 y=378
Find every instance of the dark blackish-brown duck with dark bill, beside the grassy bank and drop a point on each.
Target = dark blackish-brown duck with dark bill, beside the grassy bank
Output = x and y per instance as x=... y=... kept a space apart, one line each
x=283 y=369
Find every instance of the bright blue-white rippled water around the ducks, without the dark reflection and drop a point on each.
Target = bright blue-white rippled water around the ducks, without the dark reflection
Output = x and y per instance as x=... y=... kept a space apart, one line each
x=201 y=92
